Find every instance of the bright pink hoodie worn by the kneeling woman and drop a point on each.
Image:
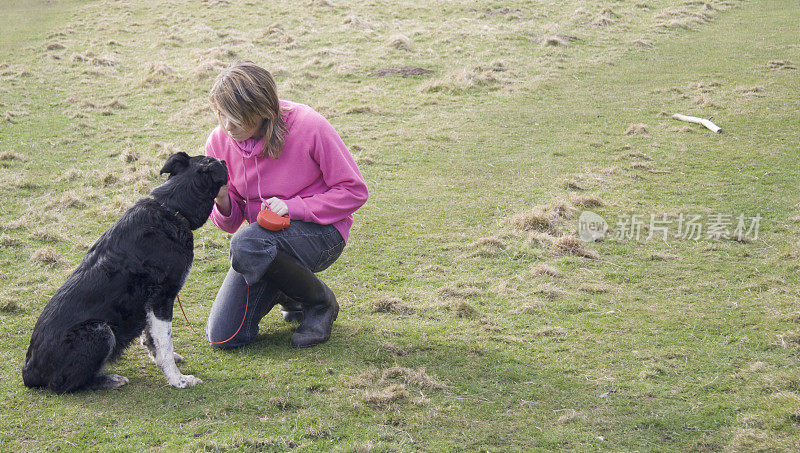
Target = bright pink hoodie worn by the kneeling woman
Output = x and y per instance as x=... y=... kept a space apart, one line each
x=315 y=174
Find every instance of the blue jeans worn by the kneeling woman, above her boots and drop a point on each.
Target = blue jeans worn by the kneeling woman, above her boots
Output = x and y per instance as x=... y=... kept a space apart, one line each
x=252 y=250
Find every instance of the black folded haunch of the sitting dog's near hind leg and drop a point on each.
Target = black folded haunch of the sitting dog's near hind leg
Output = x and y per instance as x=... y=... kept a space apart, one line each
x=84 y=349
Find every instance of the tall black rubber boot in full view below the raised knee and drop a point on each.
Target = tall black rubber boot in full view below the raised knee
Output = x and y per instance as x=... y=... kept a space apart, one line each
x=318 y=303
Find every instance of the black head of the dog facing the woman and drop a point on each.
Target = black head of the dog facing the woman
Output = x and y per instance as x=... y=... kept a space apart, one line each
x=192 y=185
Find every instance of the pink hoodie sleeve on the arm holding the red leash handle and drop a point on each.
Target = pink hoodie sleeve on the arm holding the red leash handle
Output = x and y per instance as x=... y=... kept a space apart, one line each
x=347 y=190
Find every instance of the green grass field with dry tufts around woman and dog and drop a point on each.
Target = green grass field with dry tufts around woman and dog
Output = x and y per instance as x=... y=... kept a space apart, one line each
x=473 y=318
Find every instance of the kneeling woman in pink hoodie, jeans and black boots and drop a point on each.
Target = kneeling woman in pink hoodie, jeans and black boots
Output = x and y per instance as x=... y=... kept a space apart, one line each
x=287 y=158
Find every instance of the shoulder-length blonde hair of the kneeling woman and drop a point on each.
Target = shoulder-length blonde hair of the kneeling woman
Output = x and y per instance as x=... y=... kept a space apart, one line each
x=246 y=93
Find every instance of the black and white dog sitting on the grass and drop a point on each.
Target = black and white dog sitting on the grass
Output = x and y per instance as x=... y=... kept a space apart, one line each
x=126 y=285
